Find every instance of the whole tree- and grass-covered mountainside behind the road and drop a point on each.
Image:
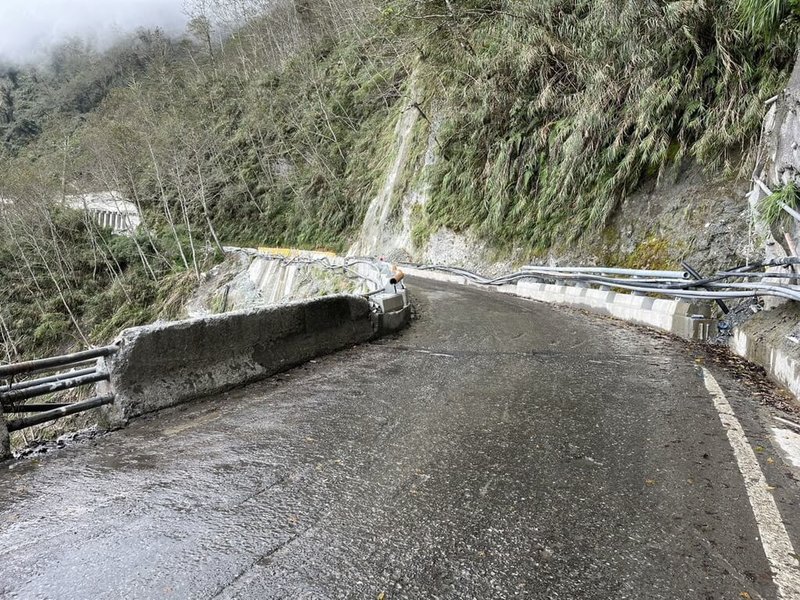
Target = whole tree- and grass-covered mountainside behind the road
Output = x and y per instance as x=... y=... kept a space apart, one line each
x=272 y=122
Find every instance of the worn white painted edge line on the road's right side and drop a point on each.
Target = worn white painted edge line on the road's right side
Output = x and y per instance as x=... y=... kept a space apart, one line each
x=777 y=545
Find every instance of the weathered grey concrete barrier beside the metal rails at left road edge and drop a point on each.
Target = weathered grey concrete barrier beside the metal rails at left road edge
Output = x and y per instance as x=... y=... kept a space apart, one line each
x=162 y=365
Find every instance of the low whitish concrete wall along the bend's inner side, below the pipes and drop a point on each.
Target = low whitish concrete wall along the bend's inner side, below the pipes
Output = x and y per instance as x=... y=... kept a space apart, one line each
x=687 y=319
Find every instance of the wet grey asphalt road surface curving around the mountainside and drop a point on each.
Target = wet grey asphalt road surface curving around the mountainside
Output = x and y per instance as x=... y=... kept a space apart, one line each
x=497 y=449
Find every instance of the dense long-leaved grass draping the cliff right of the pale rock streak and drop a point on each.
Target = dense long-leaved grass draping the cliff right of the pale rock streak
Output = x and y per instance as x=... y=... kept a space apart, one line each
x=560 y=110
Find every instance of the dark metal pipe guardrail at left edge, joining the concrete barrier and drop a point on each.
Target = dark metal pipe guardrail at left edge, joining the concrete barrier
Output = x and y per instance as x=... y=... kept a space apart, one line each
x=14 y=393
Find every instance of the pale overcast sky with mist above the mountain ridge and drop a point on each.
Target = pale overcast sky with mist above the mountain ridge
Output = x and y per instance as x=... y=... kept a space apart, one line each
x=28 y=27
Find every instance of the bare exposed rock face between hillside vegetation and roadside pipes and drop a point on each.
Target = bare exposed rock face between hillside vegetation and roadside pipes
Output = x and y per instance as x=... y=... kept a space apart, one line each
x=687 y=215
